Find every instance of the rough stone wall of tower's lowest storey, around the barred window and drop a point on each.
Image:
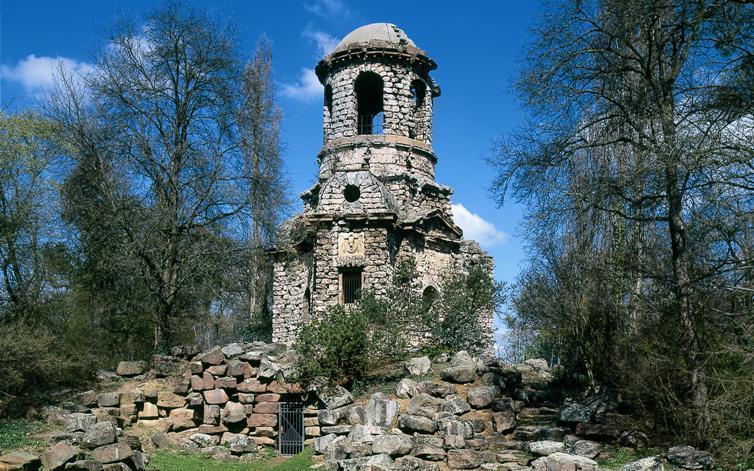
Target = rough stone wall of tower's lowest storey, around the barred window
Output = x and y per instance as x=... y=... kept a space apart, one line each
x=376 y=253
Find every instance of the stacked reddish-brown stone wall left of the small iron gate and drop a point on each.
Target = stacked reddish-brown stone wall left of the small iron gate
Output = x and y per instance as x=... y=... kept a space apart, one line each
x=228 y=394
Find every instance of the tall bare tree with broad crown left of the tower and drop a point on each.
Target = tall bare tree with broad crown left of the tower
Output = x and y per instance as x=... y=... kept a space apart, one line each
x=156 y=125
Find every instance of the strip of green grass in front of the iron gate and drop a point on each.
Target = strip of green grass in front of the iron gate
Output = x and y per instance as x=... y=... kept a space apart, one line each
x=174 y=460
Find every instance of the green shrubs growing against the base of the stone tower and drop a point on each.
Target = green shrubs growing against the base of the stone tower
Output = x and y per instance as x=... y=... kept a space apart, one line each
x=349 y=344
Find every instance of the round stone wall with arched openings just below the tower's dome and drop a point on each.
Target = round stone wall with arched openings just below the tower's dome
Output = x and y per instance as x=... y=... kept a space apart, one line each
x=400 y=115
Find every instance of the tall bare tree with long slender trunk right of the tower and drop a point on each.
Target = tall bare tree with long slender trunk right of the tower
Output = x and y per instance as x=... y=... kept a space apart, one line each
x=623 y=131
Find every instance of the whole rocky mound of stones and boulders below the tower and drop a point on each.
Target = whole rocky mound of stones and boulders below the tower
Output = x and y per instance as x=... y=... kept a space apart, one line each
x=449 y=412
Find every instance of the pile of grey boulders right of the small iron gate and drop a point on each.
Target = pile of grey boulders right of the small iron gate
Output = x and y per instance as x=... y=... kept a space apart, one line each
x=482 y=415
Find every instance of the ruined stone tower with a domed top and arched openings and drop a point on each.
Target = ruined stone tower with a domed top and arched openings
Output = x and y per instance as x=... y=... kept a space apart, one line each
x=376 y=200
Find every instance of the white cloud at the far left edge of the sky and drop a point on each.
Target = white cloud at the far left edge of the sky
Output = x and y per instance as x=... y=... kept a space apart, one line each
x=38 y=73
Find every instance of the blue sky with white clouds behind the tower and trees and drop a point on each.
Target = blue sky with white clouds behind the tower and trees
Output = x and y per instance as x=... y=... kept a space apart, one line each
x=476 y=45
